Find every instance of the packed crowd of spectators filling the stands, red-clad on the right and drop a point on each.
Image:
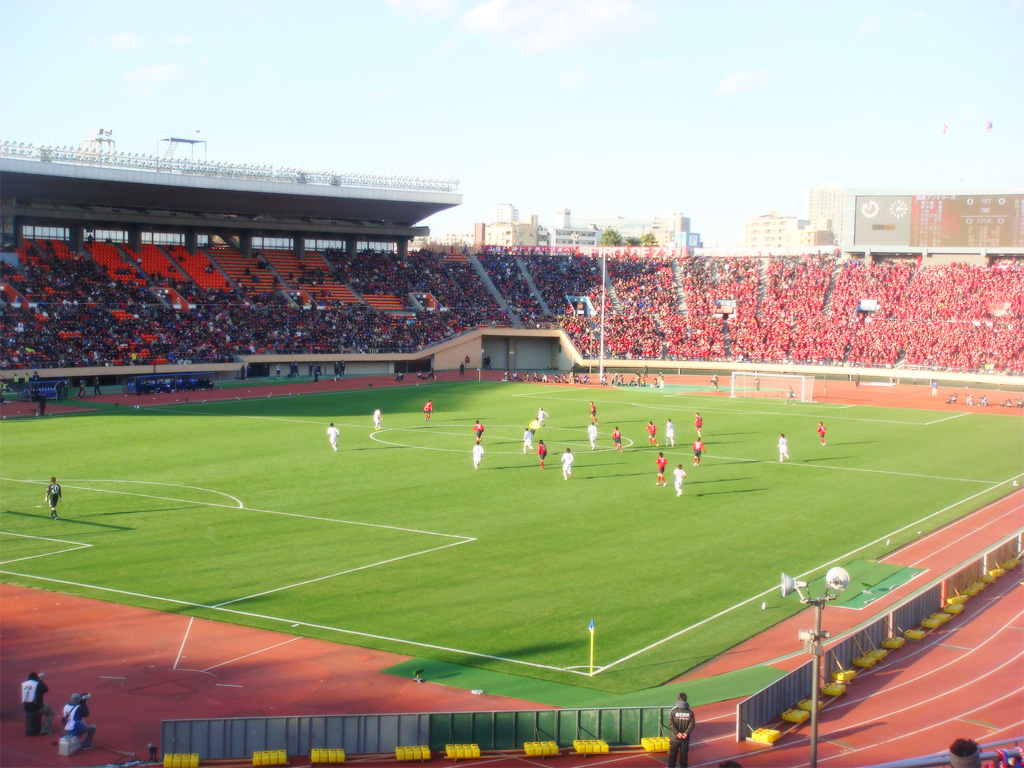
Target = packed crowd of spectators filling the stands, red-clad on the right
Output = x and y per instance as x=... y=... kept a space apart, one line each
x=804 y=310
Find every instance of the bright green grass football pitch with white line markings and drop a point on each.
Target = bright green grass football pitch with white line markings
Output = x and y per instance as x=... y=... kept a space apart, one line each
x=240 y=511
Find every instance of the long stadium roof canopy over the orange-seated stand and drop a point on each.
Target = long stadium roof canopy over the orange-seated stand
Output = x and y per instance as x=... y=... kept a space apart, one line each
x=210 y=198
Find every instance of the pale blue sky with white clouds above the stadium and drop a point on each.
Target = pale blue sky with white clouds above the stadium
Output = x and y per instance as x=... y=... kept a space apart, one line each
x=722 y=111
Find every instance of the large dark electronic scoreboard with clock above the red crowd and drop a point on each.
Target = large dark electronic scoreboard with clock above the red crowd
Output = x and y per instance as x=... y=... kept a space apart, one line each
x=975 y=221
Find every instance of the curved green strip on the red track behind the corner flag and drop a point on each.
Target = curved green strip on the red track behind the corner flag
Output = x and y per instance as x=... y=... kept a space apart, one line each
x=707 y=691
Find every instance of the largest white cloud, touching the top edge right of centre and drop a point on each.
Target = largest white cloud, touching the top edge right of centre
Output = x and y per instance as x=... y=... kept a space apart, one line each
x=533 y=26
